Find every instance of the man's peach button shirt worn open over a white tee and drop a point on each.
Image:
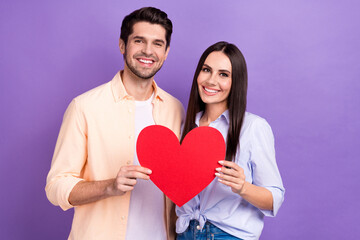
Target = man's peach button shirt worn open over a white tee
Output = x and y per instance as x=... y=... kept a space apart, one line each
x=97 y=138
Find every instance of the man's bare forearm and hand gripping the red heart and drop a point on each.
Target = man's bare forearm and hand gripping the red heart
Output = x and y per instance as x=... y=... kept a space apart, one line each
x=91 y=191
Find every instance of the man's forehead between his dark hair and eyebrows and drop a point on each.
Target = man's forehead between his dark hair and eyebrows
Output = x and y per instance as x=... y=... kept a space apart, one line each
x=149 y=31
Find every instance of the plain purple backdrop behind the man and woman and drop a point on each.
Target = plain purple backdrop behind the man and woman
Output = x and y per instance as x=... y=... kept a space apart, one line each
x=303 y=61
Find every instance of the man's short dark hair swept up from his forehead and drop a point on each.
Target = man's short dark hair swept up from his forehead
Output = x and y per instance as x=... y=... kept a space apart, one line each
x=147 y=14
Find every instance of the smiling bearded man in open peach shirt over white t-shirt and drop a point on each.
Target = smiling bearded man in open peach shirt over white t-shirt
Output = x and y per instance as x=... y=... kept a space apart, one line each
x=95 y=168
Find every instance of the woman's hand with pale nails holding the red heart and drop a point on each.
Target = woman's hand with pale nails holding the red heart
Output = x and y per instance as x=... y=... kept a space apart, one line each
x=232 y=175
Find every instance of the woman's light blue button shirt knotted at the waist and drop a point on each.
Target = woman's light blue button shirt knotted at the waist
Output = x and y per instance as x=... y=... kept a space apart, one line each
x=225 y=209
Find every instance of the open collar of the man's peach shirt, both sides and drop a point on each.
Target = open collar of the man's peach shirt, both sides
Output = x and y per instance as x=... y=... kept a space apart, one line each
x=119 y=91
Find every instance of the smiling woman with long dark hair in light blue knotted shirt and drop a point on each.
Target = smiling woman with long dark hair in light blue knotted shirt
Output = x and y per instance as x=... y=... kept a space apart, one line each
x=248 y=186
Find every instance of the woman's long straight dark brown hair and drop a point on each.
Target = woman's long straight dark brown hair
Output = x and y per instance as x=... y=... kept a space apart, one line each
x=236 y=100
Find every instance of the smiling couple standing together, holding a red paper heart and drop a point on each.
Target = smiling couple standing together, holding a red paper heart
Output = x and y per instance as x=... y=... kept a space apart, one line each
x=95 y=168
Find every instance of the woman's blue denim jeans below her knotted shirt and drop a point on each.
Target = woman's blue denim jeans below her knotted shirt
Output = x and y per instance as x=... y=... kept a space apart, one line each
x=209 y=232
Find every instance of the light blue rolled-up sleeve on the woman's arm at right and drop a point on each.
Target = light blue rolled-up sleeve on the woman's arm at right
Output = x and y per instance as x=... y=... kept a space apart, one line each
x=264 y=168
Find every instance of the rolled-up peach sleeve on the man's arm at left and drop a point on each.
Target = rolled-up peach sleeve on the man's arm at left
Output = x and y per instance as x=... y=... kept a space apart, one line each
x=69 y=158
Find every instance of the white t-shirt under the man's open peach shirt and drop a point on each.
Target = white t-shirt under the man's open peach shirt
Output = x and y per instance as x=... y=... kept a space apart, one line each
x=146 y=212
